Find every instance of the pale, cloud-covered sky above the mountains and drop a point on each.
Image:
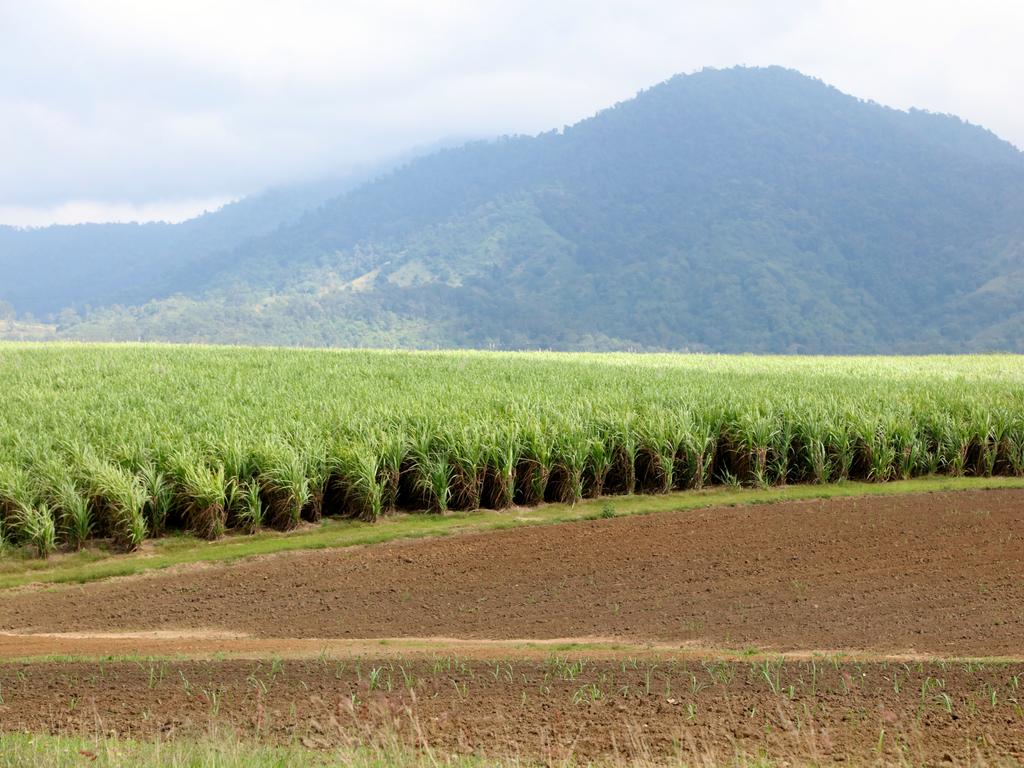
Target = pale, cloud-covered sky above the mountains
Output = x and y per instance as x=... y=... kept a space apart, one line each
x=117 y=111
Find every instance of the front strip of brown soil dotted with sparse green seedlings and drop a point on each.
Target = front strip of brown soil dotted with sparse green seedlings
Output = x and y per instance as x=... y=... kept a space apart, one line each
x=704 y=712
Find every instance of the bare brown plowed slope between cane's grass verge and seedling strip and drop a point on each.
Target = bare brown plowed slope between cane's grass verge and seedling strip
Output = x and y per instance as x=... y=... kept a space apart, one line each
x=937 y=574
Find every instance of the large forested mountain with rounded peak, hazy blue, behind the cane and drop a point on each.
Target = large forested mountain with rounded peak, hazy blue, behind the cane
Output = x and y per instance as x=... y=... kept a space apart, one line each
x=736 y=210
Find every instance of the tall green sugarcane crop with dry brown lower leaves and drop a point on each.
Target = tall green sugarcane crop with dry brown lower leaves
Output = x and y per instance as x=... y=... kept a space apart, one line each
x=126 y=443
